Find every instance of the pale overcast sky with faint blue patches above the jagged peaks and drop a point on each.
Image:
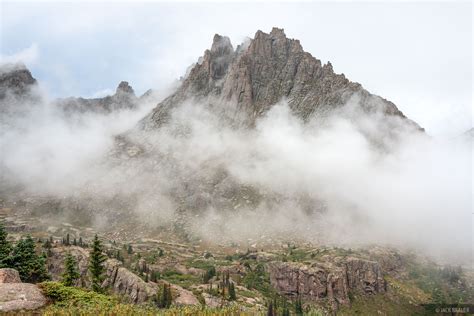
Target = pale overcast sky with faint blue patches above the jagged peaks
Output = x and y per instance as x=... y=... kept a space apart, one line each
x=418 y=55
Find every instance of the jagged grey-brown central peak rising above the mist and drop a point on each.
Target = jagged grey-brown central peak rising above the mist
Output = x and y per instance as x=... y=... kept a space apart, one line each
x=260 y=73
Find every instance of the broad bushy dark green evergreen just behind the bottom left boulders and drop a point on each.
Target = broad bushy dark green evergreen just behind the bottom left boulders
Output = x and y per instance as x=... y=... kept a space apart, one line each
x=30 y=266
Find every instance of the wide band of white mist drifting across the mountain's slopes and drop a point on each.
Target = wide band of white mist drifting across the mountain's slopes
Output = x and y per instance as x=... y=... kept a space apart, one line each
x=346 y=178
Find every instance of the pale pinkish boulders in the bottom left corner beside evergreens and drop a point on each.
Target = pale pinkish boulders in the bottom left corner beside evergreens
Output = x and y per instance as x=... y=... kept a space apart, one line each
x=16 y=296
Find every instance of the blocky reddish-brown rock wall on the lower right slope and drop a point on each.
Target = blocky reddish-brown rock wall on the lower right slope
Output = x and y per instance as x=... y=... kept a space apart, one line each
x=327 y=280
